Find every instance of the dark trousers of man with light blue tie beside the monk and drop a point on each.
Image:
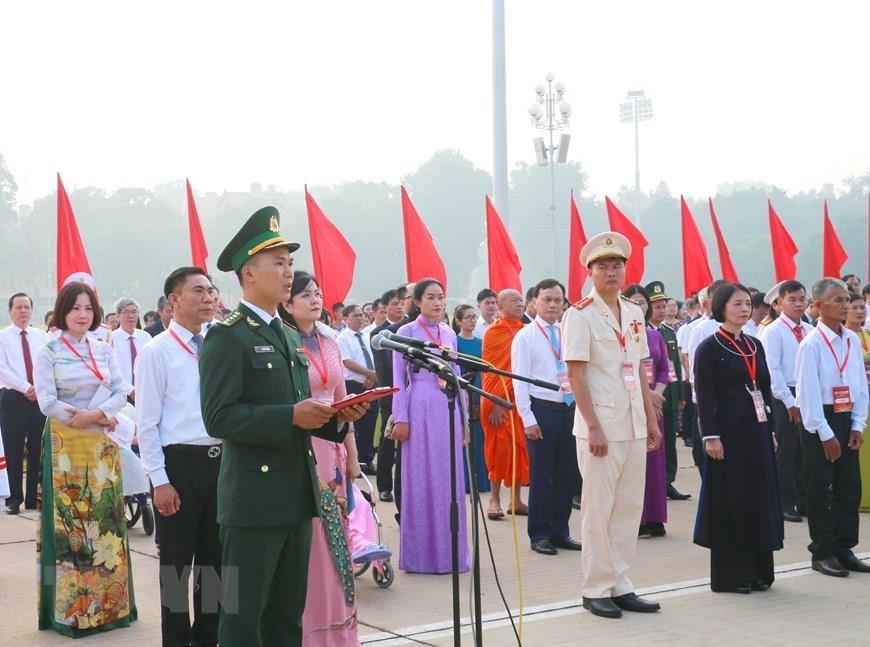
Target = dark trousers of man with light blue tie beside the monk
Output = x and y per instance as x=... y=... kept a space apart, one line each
x=553 y=471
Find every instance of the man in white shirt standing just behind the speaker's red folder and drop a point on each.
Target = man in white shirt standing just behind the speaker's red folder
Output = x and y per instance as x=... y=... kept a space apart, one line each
x=359 y=375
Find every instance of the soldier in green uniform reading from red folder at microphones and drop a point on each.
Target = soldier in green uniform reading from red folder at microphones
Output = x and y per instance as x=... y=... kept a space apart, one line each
x=255 y=397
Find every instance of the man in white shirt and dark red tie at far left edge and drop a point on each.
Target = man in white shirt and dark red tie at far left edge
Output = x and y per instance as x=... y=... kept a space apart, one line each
x=21 y=421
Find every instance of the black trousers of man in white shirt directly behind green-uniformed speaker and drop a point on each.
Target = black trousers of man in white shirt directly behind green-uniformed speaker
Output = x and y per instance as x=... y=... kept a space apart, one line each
x=190 y=544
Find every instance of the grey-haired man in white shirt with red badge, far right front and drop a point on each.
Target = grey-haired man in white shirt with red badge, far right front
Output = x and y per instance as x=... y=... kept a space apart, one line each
x=832 y=396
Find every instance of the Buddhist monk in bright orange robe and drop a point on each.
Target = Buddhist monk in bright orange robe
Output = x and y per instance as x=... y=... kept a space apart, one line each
x=502 y=440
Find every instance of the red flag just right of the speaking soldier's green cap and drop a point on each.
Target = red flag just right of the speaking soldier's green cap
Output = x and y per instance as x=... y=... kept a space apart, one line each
x=334 y=258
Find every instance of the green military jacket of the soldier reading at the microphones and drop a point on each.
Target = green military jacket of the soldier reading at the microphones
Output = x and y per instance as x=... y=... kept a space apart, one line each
x=249 y=381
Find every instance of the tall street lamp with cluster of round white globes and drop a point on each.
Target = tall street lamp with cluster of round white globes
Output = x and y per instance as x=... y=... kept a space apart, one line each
x=550 y=113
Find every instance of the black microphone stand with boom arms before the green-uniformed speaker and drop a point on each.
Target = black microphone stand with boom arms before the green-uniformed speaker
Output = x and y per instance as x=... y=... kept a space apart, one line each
x=437 y=364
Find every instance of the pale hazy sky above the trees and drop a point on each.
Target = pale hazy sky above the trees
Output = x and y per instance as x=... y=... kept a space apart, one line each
x=120 y=94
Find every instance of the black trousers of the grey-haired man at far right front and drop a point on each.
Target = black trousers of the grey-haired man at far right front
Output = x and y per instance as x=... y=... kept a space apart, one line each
x=833 y=491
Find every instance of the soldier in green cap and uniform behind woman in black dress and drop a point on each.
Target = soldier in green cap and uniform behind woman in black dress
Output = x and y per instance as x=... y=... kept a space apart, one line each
x=673 y=393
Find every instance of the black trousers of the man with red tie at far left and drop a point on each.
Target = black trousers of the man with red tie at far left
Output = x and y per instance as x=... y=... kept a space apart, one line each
x=21 y=423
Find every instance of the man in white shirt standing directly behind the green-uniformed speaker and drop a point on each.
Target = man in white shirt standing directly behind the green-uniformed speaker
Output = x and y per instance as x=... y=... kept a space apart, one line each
x=182 y=461
